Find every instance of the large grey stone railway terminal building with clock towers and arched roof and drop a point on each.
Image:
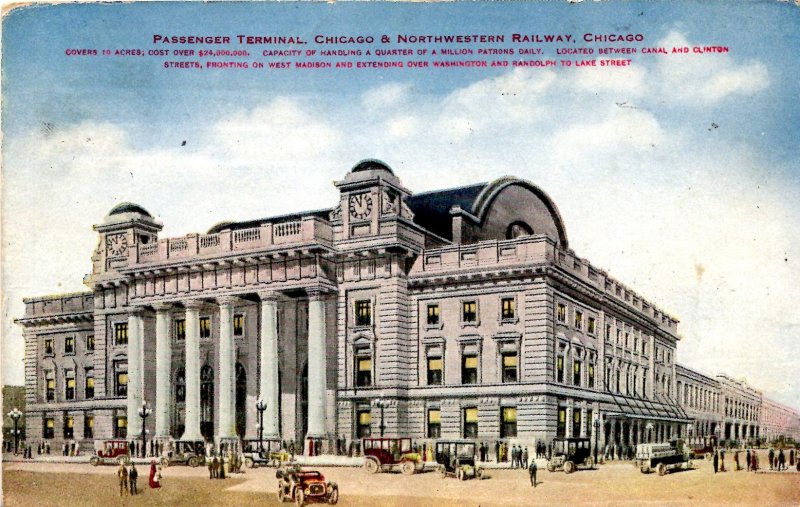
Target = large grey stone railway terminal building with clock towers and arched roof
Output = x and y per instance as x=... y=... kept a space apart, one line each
x=455 y=313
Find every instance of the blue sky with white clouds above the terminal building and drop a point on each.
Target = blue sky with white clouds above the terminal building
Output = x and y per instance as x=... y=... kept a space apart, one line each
x=702 y=220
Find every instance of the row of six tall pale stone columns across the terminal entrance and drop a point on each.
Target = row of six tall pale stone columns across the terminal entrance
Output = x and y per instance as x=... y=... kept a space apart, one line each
x=269 y=390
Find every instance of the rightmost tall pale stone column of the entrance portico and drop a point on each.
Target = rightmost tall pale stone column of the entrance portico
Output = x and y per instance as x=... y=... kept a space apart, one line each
x=317 y=371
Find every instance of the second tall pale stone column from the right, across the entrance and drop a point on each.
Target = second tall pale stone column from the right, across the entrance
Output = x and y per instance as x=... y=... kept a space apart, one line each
x=269 y=390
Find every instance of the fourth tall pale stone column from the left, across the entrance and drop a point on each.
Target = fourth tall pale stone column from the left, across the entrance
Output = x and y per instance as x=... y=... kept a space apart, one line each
x=226 y=401
